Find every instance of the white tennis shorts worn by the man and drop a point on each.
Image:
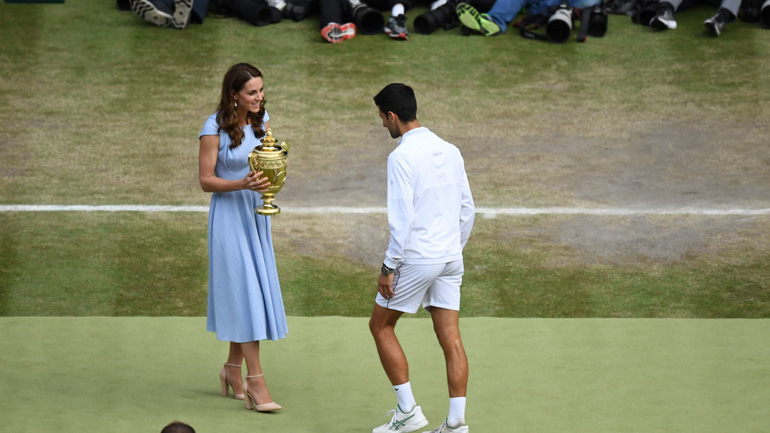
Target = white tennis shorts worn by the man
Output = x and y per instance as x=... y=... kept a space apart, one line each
x=429 y=285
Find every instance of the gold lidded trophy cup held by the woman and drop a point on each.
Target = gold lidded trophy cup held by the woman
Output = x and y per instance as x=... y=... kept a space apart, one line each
x=270 y=159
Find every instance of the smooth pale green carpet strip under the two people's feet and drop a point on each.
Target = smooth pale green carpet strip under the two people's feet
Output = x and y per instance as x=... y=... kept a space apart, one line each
x=527 y=375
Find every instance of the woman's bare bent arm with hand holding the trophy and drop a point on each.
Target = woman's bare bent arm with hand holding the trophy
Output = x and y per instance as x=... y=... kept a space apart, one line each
x=207 y=162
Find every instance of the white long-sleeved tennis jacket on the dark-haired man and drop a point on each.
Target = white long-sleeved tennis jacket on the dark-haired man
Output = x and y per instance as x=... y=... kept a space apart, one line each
x=430 y=206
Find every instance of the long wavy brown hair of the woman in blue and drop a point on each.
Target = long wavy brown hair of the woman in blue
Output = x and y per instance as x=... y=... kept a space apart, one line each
x=235 y=78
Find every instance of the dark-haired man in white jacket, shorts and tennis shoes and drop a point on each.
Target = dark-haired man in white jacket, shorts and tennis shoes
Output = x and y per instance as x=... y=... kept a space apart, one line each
x=430 y=214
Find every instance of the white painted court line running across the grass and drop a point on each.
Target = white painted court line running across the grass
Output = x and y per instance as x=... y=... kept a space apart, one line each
x=483 y=211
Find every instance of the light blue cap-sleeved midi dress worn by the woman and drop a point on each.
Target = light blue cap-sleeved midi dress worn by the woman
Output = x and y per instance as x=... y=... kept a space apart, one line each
x=244 y=301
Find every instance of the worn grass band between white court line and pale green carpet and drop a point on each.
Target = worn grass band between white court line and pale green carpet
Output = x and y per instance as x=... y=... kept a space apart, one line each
x=156 y=264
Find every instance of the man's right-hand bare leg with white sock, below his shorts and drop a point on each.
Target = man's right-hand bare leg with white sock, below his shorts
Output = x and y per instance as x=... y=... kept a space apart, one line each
x=447 y=327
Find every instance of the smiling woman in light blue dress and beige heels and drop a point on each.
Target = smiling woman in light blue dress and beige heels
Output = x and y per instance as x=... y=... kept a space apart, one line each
x=244 y=300
